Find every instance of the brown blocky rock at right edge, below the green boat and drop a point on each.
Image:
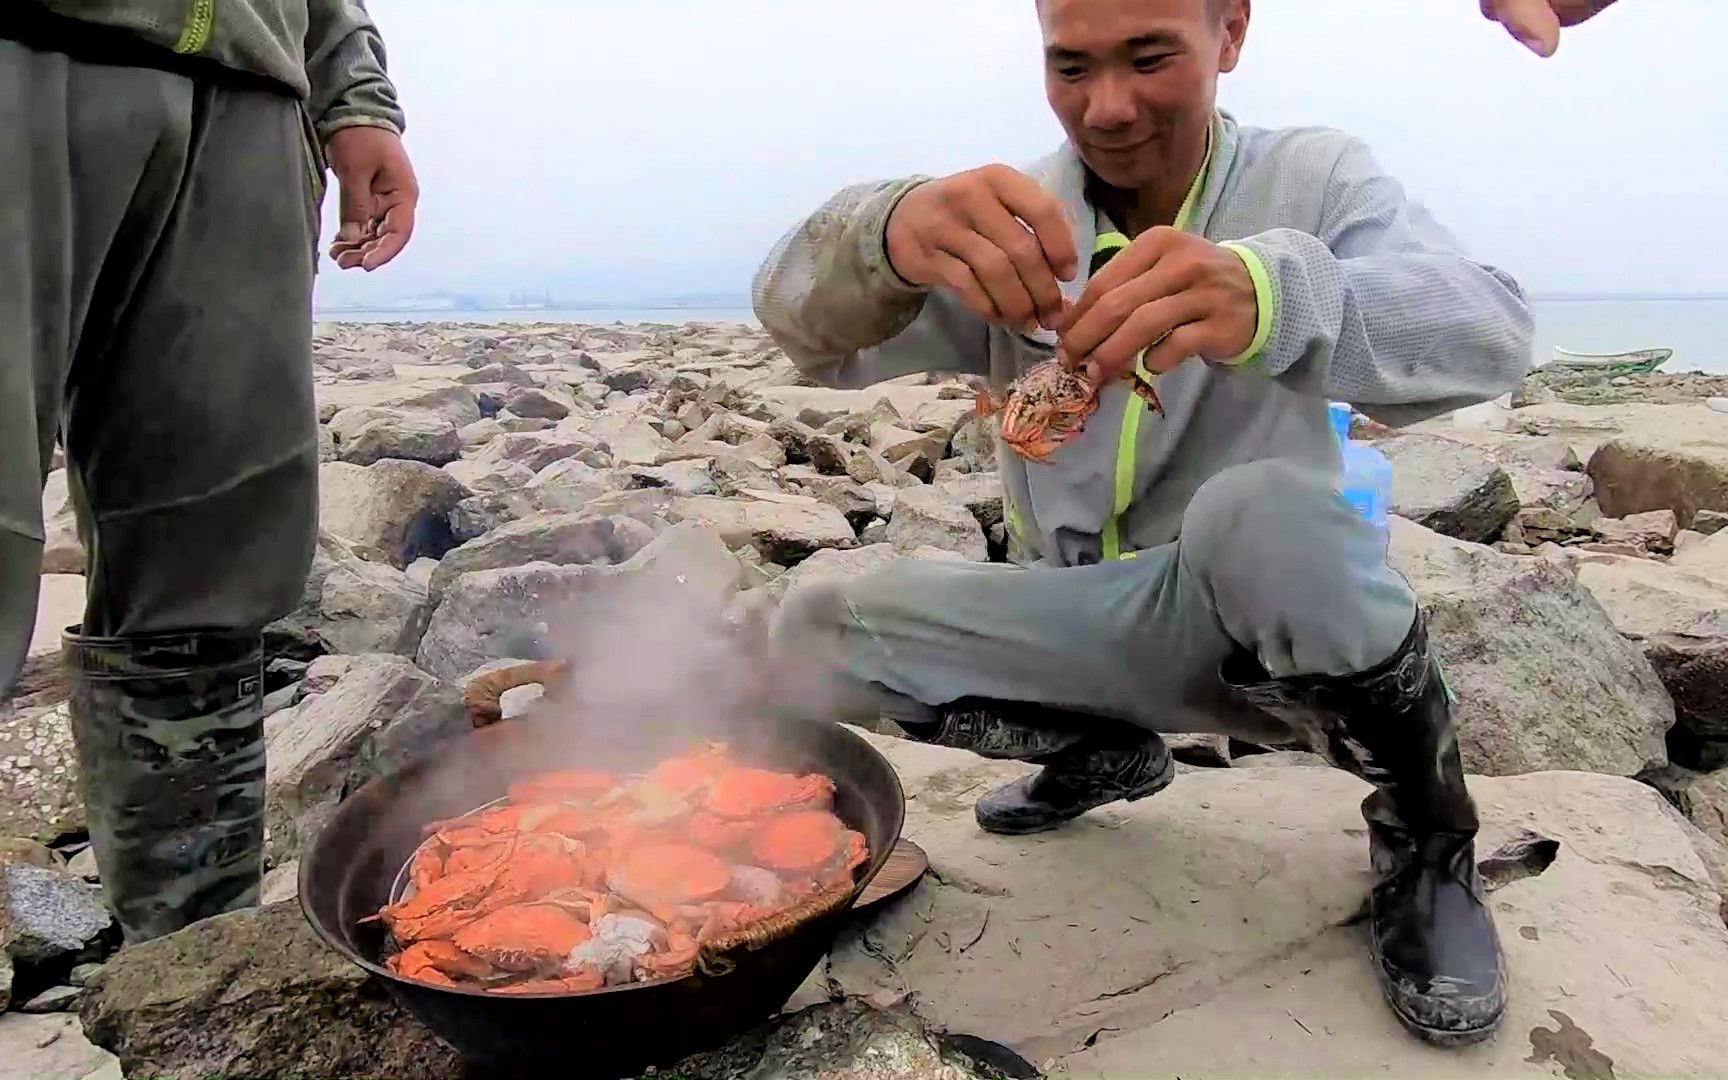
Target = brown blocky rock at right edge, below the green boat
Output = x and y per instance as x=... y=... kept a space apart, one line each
x=1637 y=474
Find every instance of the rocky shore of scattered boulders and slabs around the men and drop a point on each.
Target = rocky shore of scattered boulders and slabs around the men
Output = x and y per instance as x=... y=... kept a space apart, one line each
x=478 y=481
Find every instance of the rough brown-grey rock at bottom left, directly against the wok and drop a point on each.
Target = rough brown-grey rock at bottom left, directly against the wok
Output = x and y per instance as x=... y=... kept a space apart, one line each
x=255 y=994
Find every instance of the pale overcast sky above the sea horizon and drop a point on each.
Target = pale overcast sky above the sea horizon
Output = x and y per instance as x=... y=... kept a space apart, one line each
x=644 y=149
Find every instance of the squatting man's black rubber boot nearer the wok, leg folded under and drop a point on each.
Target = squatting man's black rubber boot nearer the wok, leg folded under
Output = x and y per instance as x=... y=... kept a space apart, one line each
x=1088 y=761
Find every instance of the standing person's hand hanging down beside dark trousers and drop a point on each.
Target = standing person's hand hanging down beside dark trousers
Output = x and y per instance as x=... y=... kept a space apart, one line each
x=379 y=196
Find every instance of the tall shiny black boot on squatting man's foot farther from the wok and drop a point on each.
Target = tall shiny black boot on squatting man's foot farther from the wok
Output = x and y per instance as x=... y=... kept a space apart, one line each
x=1435 y=944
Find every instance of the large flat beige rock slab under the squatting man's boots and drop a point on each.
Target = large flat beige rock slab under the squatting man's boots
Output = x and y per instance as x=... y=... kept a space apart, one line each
x=1179 y=937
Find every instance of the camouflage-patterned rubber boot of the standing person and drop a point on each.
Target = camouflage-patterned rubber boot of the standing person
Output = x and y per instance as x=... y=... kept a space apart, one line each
x=170 y=734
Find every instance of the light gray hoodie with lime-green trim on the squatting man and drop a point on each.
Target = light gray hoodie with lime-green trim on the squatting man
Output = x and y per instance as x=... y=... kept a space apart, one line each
x=1364 y=298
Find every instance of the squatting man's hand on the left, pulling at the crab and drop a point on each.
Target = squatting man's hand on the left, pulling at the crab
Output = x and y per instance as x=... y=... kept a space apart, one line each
x=970 y=232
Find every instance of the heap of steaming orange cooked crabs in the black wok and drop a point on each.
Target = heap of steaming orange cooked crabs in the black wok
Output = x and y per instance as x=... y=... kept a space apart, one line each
x=585 y=880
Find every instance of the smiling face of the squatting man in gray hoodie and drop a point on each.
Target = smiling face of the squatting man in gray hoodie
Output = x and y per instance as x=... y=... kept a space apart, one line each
x=1134 y=82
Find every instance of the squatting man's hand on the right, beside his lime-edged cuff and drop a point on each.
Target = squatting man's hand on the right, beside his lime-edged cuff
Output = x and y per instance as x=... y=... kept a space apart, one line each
x=1169 y=293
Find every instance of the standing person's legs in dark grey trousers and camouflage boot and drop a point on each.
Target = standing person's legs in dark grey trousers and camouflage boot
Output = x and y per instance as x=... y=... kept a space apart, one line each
x=158 y=245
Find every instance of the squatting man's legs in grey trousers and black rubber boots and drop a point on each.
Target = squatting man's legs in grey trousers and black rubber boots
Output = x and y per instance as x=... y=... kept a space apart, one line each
x=1276 y=602
